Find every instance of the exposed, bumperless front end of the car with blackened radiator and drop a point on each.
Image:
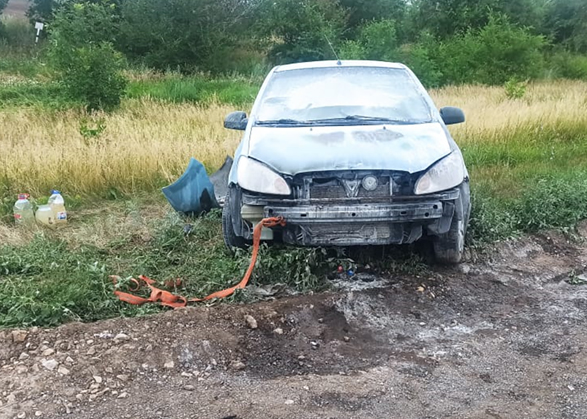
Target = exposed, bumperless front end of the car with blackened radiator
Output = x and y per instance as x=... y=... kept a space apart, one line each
x=349 y=208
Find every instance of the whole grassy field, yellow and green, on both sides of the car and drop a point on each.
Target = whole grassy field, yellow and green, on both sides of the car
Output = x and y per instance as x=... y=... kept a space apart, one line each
x=526 y=159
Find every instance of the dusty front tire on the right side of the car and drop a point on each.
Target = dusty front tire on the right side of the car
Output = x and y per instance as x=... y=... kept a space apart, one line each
x=449 y=248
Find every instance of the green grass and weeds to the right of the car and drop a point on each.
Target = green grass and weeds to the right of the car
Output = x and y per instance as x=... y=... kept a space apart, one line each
x=533 y=179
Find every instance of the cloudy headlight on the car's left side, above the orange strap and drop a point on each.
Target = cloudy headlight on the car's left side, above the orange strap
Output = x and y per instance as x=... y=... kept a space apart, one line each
x=256 y=177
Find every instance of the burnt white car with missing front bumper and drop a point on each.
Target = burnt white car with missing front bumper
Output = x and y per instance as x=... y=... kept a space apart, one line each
x=349 y=153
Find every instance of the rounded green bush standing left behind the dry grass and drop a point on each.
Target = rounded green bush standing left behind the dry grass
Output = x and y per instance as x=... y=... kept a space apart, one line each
x=82 y=52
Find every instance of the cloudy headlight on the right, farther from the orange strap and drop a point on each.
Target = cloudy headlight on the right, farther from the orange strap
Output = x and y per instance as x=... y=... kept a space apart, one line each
x=446 y=174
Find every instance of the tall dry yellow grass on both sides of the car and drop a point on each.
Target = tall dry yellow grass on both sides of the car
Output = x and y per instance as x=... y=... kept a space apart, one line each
x=147 y=144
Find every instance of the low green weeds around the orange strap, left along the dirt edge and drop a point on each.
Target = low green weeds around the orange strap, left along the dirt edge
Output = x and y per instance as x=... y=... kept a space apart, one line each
x=46 y=282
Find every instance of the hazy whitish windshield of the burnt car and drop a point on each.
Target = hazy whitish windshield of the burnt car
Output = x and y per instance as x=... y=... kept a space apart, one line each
x=353 y=95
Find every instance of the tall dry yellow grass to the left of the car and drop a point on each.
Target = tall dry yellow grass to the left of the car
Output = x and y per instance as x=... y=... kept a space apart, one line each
x=143 y=146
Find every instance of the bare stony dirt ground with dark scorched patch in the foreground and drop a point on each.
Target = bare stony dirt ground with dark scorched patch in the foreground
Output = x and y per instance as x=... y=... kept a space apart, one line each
x=503 y=337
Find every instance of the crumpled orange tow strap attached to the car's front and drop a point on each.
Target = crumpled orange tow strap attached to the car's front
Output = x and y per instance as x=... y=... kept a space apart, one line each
x=168 y=299
